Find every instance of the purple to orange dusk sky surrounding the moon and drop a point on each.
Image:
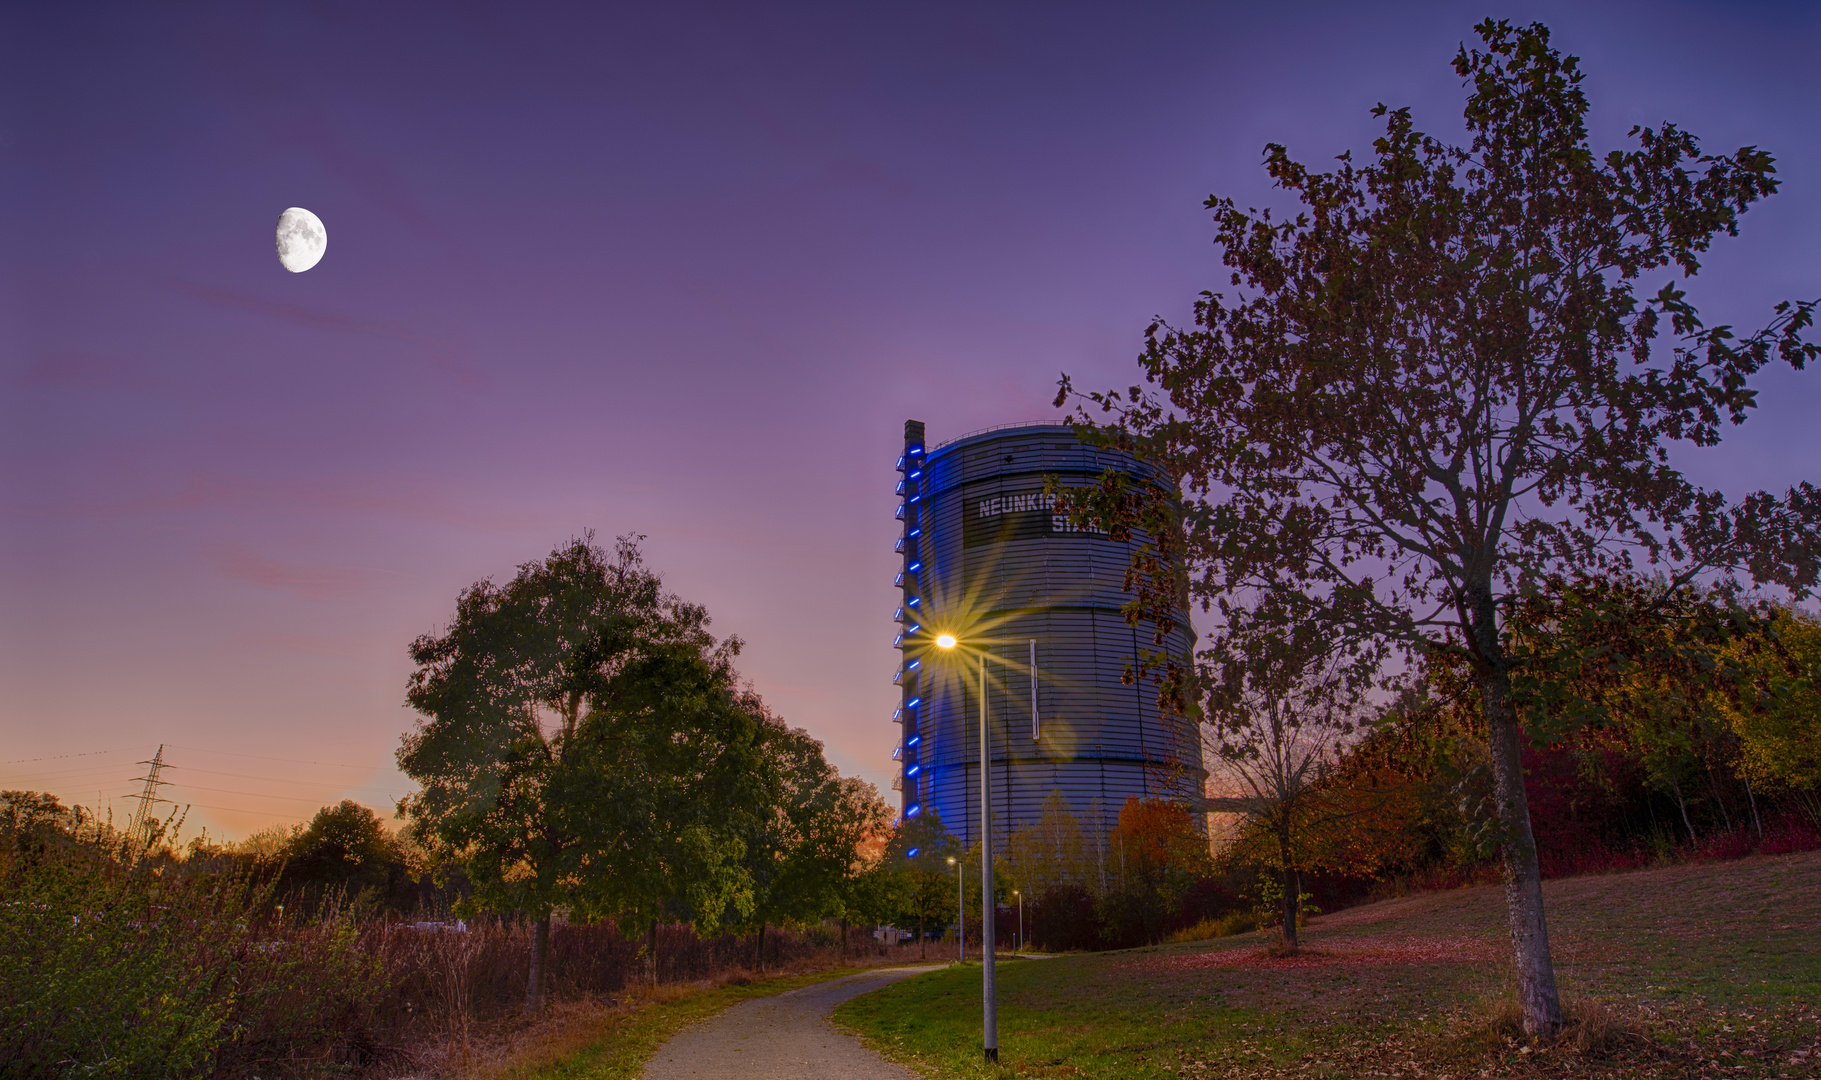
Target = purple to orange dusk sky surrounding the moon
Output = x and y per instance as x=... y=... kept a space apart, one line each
x=673 y=270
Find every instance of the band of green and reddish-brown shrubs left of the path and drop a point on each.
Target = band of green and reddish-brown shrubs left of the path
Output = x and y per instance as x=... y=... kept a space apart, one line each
x=119 y=972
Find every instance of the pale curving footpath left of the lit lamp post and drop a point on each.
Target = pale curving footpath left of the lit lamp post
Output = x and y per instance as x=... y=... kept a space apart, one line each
x=782 y=1037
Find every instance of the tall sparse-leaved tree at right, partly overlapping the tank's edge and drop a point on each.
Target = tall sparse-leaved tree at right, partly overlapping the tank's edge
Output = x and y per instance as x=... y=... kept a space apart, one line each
x=1440 y=382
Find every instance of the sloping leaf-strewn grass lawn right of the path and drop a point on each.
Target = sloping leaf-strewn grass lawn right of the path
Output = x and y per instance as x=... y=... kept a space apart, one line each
x=1707 y=970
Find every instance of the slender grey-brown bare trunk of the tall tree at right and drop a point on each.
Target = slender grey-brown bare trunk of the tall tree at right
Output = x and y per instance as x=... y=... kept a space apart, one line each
x=1538 y=997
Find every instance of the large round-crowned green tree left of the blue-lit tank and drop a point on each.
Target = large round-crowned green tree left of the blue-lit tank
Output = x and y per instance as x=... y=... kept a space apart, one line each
x=578 y=746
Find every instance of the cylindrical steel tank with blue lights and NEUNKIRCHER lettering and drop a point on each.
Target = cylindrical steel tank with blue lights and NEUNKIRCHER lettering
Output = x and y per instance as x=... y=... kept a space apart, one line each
x=990 y=562
